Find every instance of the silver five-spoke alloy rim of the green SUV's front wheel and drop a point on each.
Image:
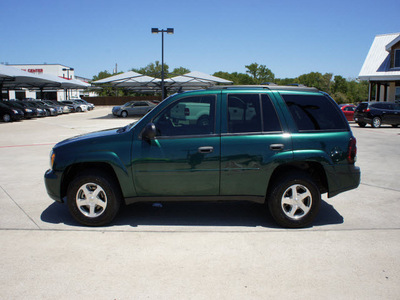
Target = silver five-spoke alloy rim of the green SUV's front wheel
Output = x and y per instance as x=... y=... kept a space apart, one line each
x=91 y=200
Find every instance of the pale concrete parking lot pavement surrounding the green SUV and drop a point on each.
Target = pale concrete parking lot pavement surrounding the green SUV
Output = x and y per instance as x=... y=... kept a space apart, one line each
x=193 y=250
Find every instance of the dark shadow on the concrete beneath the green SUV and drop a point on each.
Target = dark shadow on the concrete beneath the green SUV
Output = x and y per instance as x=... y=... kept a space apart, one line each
x=244 y=214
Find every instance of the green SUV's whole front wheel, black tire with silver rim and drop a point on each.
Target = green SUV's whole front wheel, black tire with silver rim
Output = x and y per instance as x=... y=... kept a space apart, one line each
x=102 y=208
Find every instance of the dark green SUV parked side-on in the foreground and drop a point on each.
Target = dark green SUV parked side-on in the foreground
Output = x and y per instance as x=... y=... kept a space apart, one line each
x=282 y=146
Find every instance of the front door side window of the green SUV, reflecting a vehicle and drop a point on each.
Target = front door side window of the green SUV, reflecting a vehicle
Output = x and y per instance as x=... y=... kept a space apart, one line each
x=188 y=116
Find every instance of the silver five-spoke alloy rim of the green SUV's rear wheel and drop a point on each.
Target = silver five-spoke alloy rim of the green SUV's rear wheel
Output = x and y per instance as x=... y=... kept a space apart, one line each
x=296 y=201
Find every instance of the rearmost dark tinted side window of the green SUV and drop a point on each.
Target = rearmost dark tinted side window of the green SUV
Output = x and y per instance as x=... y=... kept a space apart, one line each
x=314 y=112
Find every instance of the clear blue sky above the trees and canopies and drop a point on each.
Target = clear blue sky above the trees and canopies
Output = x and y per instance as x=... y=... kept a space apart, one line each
x=289 y=37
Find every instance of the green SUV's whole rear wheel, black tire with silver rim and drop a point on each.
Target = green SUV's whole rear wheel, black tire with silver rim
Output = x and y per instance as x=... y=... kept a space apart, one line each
x=279 y=198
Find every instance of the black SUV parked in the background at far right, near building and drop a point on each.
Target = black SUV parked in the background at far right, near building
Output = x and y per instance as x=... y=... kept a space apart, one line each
x=377 y=113
